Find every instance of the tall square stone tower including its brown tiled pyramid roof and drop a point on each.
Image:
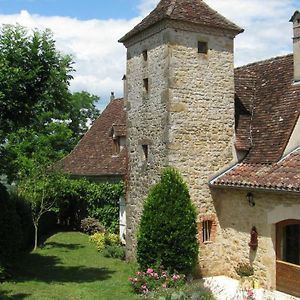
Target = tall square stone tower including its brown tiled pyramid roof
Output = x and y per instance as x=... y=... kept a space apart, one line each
x=180 y=104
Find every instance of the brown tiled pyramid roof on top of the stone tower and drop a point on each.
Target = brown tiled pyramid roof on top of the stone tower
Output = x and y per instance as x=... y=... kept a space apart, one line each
x=194 y=11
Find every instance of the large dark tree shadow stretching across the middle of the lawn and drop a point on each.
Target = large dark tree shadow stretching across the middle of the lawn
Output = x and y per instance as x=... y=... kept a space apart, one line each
x=49 y=269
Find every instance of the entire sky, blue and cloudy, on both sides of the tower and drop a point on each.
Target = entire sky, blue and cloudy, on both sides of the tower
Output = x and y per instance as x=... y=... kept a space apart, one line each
x=89 y=30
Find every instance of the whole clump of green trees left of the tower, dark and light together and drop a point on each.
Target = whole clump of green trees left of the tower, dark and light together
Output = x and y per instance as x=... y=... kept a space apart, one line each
x=40 y=120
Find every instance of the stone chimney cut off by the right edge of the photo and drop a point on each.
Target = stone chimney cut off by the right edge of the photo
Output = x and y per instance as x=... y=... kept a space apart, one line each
x=296 y=41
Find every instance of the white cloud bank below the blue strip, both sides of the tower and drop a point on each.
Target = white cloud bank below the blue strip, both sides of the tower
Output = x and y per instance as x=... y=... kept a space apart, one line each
x=100 y=59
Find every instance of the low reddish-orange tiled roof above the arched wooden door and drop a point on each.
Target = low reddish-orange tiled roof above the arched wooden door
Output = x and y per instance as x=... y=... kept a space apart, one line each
x=282 y=176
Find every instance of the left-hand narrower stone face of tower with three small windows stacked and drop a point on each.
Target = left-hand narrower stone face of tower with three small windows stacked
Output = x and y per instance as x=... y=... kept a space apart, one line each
x=147 y=125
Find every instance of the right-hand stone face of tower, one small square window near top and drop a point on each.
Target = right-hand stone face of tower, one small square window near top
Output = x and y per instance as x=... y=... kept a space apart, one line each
x=202 y=123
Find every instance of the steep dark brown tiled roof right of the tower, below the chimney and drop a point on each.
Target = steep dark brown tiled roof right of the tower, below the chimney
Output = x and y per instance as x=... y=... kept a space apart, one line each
x=267 y=92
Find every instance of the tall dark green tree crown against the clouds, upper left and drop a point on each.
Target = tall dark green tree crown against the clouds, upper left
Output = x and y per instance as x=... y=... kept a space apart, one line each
x=34 y=77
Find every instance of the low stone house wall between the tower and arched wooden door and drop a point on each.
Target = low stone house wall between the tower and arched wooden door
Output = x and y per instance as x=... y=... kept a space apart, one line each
x=236 y=219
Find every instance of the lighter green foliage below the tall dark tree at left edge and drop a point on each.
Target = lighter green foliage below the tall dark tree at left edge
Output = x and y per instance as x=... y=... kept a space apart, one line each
x=26 y=149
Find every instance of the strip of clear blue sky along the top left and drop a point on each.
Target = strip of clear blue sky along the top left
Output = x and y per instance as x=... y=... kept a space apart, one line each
x=81 y=9
